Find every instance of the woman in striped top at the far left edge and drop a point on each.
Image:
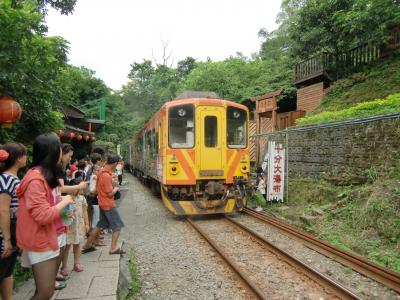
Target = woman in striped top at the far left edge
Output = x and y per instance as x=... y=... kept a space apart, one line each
x=12 y=158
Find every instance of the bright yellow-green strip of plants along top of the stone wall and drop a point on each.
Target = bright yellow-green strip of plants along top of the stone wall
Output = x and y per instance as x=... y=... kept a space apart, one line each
x=391 y=104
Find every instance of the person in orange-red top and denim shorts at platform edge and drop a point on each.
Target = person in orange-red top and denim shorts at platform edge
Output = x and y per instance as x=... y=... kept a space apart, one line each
x=109 y=216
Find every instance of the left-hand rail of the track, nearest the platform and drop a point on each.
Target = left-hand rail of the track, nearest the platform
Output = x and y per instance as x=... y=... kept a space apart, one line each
x=231 y=263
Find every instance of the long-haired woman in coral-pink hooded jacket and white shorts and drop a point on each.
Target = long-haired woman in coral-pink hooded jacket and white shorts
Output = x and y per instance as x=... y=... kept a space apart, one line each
x=36 y=232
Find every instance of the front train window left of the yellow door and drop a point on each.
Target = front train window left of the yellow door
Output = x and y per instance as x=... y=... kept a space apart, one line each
x=181 y=126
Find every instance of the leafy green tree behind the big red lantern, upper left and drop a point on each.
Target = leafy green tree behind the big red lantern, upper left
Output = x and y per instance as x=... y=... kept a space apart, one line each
x=30 y=65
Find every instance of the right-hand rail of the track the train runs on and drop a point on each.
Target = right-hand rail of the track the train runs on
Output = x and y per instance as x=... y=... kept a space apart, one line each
x=336 y=288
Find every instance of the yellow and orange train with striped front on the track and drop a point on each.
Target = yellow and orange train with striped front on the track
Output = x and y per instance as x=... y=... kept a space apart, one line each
x=194 y=152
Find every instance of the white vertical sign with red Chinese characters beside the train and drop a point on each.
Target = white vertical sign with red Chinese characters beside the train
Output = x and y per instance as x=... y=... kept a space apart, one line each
x=276 y=171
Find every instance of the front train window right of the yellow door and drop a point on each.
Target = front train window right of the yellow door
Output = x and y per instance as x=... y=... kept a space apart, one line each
x=236 y=127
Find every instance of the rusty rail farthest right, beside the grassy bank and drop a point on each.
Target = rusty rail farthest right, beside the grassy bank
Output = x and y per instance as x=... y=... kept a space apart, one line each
x=385 y=276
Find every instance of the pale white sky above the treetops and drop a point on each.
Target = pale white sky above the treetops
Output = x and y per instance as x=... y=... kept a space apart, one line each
x=108 y=36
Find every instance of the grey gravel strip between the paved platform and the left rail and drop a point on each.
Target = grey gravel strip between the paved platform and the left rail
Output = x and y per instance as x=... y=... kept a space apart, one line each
x=173 y=261
